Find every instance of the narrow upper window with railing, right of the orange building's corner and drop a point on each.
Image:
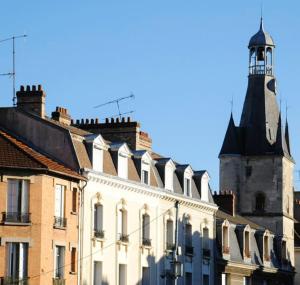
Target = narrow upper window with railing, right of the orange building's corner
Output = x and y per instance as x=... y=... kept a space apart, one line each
x=60 y=220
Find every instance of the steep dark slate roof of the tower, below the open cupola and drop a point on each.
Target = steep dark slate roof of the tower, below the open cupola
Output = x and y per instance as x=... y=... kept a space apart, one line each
x=260 y=129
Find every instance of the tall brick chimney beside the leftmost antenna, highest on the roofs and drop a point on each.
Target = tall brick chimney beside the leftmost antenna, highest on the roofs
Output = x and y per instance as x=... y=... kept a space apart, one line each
x=32 y=100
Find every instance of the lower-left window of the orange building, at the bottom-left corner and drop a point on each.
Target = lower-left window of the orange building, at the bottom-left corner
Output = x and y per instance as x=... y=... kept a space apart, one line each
x=17 y=260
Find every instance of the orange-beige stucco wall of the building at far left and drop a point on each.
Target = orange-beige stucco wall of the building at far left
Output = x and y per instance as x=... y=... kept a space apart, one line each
x=40 y=233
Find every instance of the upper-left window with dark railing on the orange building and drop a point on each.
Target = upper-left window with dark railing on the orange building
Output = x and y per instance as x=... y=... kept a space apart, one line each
x=17 y=201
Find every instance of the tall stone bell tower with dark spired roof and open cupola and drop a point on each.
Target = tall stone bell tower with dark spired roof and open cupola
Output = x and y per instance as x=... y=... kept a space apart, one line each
x=255 y=158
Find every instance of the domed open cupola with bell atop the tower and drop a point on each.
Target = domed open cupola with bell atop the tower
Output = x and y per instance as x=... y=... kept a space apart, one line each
x=261 y=57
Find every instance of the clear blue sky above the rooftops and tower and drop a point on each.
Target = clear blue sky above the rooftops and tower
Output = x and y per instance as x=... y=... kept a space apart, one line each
x=183 y=60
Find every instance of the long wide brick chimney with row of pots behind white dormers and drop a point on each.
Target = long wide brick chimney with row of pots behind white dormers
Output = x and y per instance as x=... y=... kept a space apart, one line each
x=118 y=130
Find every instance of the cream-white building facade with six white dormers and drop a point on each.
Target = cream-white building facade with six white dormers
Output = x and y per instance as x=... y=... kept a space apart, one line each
x=128 y=219
